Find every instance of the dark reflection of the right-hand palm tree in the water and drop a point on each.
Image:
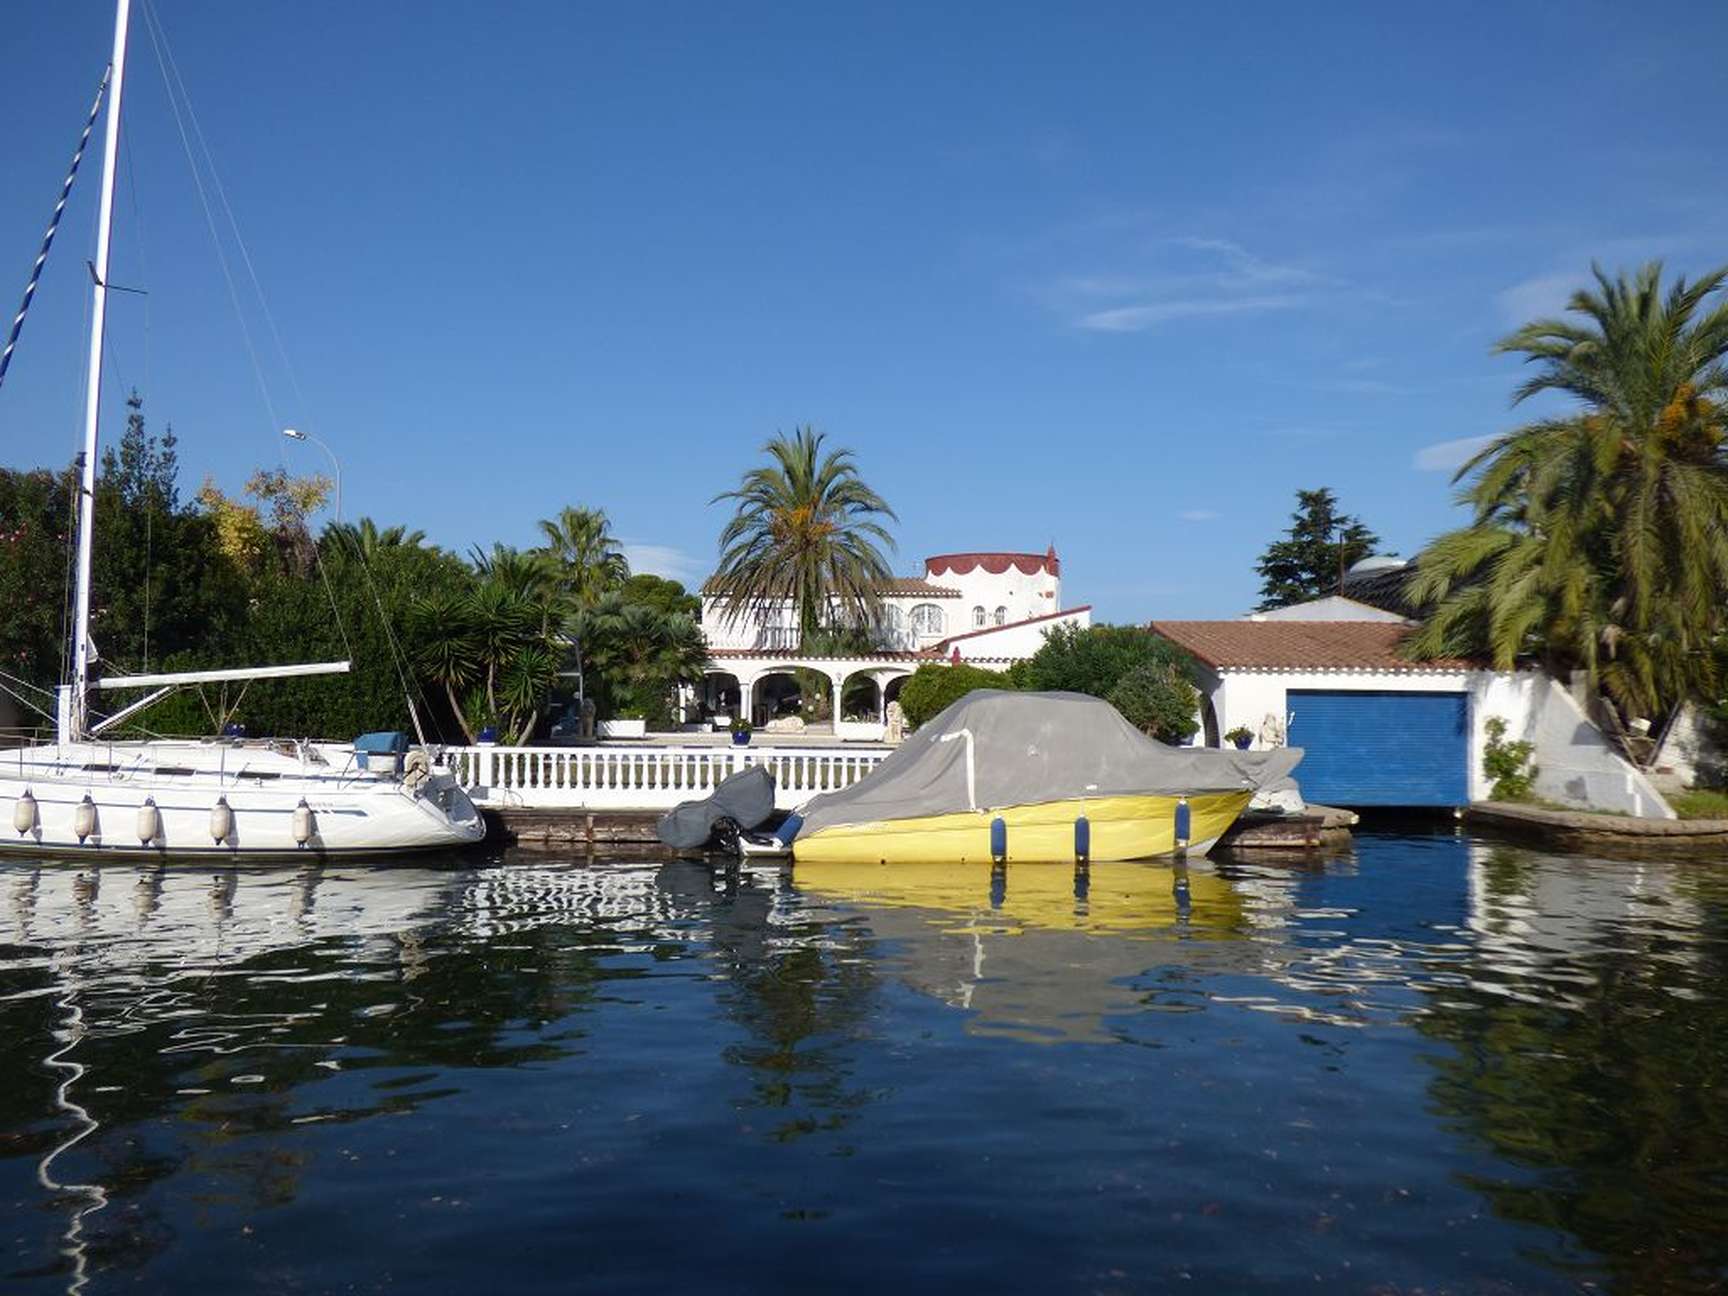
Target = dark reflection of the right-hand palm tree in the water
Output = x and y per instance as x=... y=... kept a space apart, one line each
x=1599 y=1074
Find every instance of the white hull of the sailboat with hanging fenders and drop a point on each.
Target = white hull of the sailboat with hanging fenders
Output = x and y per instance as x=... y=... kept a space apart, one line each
x=86 y=801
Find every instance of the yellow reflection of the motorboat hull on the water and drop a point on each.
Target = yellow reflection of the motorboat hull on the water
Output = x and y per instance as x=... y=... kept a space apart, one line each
x=1115 y=899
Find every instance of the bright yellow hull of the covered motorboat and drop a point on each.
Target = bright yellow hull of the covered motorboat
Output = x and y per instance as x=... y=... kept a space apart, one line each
x=1121 y=829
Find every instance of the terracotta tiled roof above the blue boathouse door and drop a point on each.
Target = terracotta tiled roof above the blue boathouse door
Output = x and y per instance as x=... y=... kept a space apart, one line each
x=1300 y=645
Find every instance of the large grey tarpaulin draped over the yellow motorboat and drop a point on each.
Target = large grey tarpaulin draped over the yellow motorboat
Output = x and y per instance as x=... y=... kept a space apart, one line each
x=1029 y=749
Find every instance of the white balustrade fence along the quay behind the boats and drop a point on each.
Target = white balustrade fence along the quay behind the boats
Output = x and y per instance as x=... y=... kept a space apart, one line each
x=642 y=778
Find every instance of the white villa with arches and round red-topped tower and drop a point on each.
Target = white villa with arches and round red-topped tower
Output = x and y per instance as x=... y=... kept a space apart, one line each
x=988 y=609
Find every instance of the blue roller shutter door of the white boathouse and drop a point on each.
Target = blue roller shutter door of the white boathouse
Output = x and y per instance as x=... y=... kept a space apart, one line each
x=1382 y=749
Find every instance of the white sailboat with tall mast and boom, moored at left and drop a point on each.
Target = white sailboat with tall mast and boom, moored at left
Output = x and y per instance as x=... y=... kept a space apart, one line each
x=92 y=796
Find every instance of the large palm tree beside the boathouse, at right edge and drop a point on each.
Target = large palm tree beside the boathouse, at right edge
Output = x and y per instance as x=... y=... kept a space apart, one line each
x=1601 y=535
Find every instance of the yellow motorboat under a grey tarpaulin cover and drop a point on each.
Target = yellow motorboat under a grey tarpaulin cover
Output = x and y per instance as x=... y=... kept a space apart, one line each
x=1034 y=777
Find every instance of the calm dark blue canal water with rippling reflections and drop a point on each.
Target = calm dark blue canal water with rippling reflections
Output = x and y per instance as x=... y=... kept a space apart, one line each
x=1430 y=1065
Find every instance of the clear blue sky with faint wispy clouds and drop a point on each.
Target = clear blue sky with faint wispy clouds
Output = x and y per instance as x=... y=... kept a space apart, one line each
x=1112 y=277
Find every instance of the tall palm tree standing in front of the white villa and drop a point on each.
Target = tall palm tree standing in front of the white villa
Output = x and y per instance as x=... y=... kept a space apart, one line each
x=806 y=531
